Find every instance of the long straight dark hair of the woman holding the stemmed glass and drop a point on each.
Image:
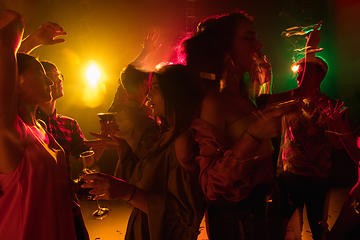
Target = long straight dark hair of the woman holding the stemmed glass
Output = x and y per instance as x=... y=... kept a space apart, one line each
x=182 y=97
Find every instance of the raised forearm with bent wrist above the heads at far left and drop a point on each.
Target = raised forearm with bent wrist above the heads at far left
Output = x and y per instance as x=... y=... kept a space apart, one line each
x=46 y=35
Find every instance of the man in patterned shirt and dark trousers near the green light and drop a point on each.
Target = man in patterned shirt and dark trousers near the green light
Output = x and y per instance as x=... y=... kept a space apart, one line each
x=306 y=143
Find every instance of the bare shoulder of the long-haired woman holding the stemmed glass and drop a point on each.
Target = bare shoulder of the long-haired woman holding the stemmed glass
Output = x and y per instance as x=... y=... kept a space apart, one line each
x=185 y=150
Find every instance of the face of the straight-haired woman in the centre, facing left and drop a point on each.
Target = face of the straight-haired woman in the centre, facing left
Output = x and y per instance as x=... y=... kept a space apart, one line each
x=156 y=99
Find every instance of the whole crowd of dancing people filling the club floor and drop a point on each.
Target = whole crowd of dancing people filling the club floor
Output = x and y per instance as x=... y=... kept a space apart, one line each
x=194 y=140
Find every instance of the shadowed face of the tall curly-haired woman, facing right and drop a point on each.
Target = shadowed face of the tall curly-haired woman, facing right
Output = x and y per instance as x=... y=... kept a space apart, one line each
x=246 y=48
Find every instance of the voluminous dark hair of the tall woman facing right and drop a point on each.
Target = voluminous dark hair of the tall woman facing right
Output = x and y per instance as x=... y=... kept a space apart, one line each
x=209 y=49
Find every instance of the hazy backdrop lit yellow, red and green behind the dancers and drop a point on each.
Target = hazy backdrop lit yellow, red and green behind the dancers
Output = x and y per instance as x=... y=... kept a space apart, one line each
x=111 y=32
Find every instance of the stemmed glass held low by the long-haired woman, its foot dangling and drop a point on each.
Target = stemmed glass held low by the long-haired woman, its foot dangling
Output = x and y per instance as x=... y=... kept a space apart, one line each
x=90 y=166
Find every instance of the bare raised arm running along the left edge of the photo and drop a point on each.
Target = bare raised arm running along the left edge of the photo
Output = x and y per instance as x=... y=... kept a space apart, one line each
x=11 y=31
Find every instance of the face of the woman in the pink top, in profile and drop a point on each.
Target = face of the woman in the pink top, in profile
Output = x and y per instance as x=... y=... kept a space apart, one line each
x=35 y=86
